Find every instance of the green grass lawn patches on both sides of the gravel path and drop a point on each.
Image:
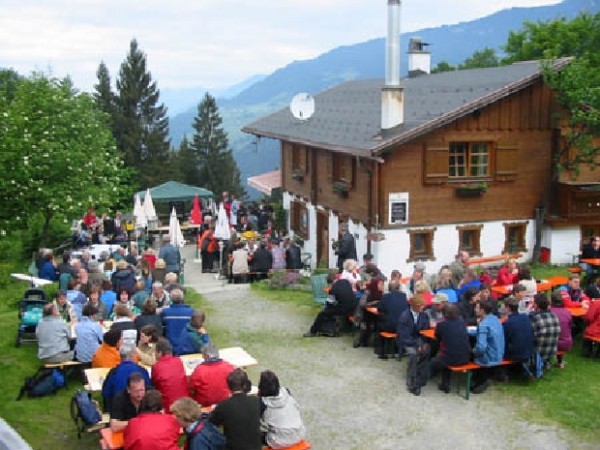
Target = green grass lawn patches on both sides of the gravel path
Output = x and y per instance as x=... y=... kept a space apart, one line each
x=566 y=396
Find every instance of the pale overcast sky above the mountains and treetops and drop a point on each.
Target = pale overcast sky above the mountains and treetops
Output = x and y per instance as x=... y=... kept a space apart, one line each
x=208 y=43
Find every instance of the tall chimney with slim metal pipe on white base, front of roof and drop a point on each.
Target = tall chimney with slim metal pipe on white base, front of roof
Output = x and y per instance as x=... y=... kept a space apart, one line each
x=392 y=94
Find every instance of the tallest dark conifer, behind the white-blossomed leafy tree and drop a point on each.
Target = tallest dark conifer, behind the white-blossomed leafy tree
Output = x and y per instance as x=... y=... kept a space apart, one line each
x=141 y=122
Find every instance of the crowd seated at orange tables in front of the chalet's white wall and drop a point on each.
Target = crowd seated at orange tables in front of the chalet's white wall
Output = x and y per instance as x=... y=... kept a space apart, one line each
x=471 y=321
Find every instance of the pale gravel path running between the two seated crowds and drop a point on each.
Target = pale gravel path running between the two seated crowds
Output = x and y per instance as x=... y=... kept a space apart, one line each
x=349 y=399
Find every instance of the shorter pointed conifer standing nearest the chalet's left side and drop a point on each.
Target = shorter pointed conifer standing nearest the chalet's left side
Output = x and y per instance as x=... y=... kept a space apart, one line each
x=218 y=169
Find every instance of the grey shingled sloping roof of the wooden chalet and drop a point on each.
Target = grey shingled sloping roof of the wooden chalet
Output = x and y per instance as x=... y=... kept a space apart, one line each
x=347 y=117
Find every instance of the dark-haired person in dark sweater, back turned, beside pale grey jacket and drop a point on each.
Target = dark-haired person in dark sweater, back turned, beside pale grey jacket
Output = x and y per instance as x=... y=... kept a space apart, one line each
x=239 y=415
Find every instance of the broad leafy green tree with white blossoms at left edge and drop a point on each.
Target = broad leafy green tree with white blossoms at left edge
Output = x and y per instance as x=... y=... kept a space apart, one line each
x=57 y=157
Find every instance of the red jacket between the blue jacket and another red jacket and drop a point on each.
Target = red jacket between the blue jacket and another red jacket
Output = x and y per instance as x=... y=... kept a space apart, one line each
x=168 y=376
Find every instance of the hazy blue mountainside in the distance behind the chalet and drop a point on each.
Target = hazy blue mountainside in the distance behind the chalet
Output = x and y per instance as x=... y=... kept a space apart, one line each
x=262 y=95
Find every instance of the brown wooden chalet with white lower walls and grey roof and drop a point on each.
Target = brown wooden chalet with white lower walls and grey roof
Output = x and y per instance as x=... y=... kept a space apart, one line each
x=468 y=166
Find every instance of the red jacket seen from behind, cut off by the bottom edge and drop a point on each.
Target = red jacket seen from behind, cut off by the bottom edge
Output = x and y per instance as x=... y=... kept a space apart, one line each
x=152 y=431
